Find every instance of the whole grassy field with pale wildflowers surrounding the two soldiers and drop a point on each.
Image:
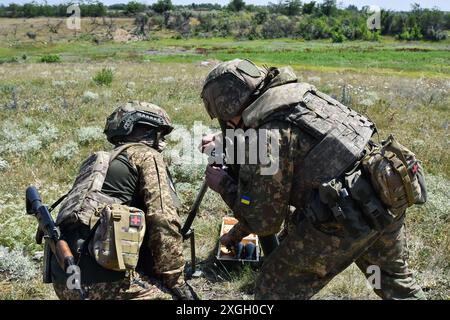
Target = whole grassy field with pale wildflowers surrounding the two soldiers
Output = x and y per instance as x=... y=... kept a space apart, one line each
x=53 y=115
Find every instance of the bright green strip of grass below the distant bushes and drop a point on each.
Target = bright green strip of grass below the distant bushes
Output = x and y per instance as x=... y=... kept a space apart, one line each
x=432 y=59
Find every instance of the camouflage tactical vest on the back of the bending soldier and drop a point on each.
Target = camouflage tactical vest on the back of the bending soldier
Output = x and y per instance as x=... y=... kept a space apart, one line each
x=341 y=133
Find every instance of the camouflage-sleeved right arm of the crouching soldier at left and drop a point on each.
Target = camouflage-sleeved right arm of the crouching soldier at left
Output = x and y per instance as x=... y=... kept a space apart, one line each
x=163 y=222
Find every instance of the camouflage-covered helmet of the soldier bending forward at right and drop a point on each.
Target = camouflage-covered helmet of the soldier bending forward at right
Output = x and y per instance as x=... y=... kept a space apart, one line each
x=229 y=87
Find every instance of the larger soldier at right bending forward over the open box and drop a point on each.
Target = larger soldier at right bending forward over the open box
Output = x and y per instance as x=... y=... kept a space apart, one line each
x=329 y=170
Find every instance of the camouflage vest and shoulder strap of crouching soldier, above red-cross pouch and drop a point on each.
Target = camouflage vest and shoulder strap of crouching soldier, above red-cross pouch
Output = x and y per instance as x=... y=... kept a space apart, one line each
x=84 y=198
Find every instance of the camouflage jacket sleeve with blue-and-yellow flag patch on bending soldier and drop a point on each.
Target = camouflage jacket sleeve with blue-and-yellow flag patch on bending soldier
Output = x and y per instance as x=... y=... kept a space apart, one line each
x=261 y=202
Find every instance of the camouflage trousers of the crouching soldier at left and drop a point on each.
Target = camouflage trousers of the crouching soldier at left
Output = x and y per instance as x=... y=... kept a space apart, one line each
x=138 y=289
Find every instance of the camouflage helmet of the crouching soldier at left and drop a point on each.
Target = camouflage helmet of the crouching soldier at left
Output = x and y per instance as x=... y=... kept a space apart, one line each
x=122 y=121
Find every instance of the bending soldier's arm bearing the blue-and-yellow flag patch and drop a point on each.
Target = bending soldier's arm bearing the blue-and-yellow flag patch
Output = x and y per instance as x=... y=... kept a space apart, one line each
x=261 y=202
